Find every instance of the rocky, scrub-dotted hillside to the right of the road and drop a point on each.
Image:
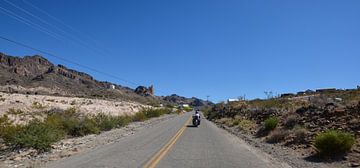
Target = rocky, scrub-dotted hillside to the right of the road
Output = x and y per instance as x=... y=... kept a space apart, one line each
x=298 y=120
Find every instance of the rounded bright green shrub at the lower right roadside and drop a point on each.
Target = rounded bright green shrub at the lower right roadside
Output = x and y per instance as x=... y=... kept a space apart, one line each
x=333 y=142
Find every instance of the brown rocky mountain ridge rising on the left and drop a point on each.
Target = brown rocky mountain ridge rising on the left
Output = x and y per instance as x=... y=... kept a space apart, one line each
x=37 y=72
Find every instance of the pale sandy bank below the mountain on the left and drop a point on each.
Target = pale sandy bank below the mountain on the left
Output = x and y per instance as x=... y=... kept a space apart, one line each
x=36 y=103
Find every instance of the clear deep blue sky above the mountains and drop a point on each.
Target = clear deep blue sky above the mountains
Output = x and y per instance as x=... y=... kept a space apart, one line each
x=200 y=47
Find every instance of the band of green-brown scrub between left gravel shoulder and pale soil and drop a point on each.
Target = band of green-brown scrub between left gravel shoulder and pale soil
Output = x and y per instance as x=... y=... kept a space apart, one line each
x=41 y=134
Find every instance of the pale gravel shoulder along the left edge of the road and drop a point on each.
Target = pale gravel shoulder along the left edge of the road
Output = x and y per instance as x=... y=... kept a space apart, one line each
x=69 y=147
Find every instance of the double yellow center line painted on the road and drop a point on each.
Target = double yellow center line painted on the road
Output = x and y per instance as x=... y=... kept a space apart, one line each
x=162 y=152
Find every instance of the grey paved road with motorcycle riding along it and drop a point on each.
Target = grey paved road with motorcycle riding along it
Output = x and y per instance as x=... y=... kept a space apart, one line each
x=172 y=143
